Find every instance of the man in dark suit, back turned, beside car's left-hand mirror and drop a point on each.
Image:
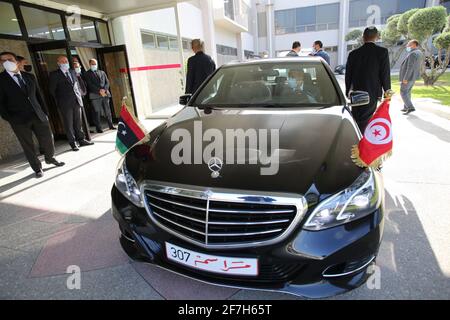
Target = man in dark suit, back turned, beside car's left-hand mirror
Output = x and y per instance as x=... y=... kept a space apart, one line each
x=200 y=67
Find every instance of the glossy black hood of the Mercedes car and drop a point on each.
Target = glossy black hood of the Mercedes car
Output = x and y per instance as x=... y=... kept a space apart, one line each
x=314 y=150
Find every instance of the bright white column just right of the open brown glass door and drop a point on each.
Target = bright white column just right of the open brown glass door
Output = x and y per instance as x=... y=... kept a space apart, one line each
x=126 y=32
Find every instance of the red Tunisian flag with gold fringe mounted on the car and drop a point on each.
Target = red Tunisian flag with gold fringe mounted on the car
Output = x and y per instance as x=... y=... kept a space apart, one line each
x=377 y=143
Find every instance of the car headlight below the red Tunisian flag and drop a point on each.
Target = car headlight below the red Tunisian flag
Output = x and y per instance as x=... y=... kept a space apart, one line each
x=357 y=201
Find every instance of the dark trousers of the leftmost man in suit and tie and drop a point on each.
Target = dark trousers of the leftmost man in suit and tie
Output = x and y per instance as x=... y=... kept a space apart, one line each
x=44 y=135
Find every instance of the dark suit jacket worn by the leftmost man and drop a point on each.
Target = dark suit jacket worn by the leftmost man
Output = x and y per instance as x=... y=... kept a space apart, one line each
x=17 y=106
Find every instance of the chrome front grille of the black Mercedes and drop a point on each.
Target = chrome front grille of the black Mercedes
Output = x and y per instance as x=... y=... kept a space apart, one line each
x=214 y=218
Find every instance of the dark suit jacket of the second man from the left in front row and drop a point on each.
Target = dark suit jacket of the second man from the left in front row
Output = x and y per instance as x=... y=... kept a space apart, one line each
x=66 y=94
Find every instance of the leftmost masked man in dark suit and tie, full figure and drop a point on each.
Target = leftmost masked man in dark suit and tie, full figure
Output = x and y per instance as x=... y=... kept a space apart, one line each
x=22 y=106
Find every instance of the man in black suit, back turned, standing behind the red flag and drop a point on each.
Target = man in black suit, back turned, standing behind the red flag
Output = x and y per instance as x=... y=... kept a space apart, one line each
x=368 y=69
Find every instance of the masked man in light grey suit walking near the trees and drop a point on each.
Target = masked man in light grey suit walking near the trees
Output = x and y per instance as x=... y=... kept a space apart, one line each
x=409 y=73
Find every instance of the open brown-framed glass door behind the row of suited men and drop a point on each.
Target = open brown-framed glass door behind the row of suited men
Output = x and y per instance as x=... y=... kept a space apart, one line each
x=114 y=61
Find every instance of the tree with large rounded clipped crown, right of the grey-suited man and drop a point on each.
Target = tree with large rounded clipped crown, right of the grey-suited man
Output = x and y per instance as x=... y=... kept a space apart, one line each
x=423 y=25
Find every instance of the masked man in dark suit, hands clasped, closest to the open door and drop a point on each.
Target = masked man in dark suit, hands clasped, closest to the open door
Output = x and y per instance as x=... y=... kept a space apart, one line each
x=98 y=87
